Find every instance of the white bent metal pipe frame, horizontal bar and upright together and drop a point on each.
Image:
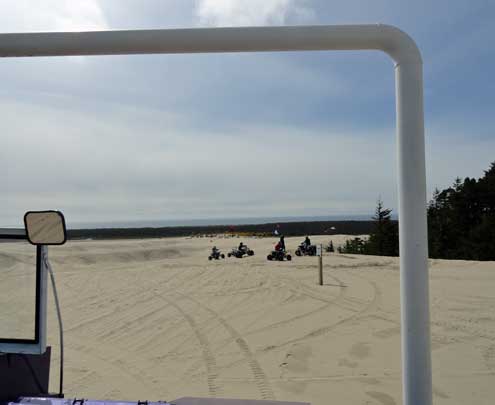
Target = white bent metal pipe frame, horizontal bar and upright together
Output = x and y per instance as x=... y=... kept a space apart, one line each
x=410 y=133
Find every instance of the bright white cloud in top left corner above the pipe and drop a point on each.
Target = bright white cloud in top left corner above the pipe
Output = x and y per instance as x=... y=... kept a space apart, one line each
x=51 y=15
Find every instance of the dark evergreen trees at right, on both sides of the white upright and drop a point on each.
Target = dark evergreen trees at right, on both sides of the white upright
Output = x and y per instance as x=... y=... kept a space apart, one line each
x=461 y=223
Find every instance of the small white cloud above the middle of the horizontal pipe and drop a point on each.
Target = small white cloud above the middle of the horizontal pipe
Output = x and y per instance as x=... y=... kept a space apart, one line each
x=253 y=12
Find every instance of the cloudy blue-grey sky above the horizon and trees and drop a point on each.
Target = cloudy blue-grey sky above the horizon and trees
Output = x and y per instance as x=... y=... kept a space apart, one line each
x=124 y=138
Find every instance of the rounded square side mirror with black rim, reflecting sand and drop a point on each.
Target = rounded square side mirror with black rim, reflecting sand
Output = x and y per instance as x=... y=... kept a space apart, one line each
x=45 y=227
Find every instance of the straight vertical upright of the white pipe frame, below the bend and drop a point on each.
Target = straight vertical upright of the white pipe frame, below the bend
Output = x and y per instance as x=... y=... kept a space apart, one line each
x=416 y=352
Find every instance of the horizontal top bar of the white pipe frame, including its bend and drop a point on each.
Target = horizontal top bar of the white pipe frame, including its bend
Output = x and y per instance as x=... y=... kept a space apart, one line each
x=386 y=38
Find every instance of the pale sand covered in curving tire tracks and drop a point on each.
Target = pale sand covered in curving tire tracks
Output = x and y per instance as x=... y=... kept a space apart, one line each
x=154 y=319
